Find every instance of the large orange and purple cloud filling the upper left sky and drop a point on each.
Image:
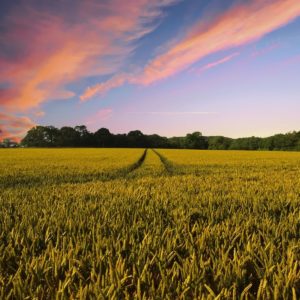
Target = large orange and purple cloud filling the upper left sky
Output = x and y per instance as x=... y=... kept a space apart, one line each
x=47 y=48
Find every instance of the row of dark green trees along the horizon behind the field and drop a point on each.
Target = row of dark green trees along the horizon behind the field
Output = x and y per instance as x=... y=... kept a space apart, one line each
x=79 y=136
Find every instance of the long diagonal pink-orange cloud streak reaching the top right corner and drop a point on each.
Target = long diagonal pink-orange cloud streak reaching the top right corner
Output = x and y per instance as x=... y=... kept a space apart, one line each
x=240 y=25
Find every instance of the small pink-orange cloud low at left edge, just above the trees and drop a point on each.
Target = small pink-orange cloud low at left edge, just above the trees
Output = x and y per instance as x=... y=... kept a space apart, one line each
x=14 y=128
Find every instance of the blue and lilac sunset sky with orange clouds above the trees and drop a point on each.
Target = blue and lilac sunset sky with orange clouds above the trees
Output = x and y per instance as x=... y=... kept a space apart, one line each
x=170 y=67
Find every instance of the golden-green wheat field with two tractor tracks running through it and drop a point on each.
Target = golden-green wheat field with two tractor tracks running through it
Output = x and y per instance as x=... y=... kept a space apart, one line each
x=149 y=224
